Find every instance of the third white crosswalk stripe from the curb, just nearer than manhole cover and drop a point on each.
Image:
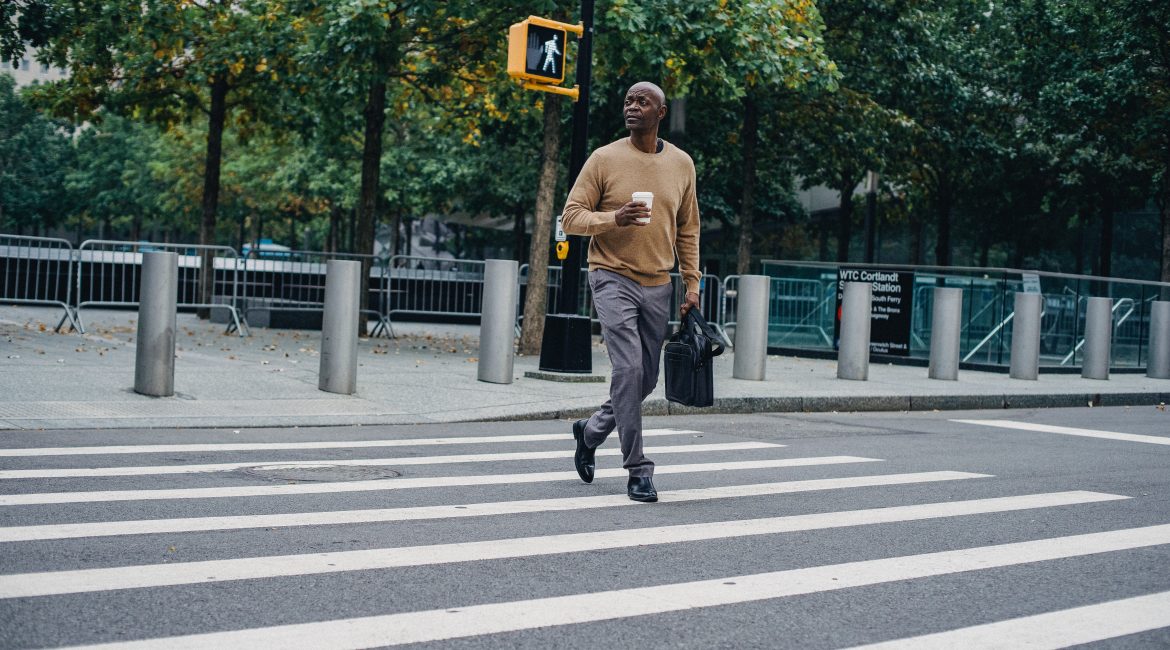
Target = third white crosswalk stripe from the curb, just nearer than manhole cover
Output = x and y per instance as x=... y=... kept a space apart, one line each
x=45 y=499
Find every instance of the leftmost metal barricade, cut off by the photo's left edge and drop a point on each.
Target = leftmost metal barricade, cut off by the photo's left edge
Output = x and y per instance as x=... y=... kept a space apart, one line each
x=39 y=272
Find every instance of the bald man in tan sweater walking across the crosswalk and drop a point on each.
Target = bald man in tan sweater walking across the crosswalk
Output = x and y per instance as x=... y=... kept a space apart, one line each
x=631 y=254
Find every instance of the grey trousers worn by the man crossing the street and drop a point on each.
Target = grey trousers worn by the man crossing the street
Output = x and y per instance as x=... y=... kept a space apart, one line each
x=634 y=323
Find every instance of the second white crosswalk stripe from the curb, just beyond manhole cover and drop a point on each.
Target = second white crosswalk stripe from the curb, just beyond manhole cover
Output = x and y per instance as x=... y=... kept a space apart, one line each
x=511 y=457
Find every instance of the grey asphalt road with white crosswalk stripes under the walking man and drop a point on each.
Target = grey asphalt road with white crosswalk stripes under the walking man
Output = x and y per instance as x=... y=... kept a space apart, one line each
x=793 y=531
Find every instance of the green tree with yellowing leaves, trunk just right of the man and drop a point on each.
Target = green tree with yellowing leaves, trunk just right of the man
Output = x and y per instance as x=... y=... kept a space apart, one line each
x=749 y=54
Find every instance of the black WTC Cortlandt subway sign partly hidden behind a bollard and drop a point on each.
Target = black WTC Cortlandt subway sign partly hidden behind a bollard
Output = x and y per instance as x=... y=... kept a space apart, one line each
x=892 y=308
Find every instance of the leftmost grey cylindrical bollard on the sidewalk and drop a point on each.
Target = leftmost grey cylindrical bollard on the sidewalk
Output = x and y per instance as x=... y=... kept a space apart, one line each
x=155 y=352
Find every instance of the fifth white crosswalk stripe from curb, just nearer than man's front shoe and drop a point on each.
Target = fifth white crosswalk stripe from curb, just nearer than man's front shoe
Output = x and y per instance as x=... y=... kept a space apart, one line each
x=29 y=585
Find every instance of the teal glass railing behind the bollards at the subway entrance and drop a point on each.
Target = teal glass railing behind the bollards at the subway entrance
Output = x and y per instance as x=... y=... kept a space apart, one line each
x=804 y=305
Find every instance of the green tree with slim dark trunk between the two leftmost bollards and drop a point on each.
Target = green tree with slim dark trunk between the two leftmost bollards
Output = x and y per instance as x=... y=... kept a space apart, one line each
x=170 y=61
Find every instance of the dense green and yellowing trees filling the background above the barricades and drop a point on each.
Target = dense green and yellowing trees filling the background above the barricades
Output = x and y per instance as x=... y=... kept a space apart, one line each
x=315 y=123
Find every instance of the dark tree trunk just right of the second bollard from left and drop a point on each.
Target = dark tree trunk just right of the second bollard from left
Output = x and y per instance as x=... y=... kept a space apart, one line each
x=371 y=178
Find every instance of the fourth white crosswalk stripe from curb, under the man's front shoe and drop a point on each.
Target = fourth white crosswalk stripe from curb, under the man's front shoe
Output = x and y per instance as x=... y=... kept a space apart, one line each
x=416 y=514
